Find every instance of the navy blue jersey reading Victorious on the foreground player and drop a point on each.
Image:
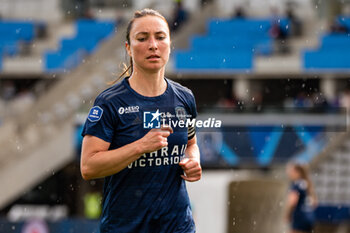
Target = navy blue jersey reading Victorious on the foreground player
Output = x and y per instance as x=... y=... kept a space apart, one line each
x=149 y=195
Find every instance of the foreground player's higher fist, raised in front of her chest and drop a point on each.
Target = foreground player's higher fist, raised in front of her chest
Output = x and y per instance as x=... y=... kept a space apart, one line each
x=155 y=139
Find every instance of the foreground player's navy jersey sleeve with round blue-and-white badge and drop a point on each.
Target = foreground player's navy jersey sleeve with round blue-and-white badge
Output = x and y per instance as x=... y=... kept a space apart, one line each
x=100 y=121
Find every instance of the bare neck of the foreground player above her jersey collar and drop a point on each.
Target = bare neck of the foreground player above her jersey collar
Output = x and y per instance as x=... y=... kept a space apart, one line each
x=148 y=84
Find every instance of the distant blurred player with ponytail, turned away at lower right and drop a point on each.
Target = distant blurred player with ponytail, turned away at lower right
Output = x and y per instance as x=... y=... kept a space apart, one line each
x=301 y=199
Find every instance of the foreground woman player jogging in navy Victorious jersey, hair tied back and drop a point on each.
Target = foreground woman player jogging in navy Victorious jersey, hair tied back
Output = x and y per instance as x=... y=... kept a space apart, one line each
x=132 y=138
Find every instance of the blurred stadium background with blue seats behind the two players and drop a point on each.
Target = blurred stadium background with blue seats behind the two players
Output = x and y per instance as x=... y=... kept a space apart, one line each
x=277 y=71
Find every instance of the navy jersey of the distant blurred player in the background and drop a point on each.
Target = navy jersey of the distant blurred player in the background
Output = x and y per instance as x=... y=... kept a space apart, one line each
x=303 y=215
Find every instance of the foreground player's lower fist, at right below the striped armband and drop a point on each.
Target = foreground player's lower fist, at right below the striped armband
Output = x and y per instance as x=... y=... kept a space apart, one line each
x=192 y=169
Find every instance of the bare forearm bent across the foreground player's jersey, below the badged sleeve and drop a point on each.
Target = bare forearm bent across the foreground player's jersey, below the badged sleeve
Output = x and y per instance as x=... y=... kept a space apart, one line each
x=106 y=163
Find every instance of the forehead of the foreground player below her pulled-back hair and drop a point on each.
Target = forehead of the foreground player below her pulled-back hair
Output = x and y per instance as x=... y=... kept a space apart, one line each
x=149 y=24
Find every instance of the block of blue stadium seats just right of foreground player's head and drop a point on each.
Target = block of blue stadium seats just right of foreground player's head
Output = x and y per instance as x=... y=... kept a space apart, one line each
x=229 y=45
